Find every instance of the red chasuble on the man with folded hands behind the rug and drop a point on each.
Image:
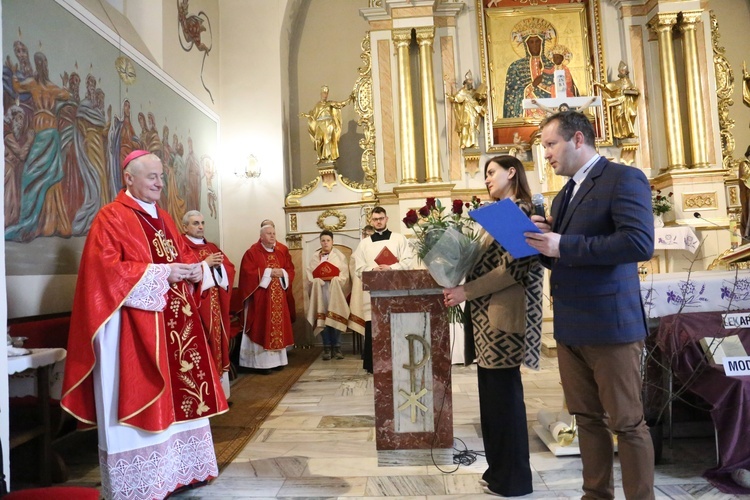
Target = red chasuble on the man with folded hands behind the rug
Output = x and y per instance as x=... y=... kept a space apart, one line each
x=270 y=311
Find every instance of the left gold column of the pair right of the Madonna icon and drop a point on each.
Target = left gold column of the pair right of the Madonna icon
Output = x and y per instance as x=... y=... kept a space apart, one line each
x=662 y=25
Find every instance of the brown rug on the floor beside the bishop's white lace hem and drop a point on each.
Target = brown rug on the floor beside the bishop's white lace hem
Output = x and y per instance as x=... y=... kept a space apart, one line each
x=254 y=397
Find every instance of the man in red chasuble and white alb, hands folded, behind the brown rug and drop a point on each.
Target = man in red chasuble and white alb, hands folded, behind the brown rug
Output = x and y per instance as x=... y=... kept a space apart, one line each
x=266 y=276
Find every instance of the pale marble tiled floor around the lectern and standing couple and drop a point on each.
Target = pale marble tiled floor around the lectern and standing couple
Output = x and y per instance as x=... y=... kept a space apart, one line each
x=320 y=443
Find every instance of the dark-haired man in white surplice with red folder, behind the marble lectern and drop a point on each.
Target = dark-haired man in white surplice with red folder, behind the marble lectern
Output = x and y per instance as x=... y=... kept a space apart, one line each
x=382 y=251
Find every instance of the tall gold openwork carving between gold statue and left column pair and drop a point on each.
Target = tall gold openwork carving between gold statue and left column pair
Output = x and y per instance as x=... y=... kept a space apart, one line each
x=363 y=105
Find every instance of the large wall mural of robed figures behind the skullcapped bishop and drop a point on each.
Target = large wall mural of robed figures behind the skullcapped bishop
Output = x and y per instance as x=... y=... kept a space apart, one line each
x=72 y=113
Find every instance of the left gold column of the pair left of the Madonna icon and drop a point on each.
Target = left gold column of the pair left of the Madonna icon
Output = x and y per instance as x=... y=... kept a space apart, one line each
x=402 y=39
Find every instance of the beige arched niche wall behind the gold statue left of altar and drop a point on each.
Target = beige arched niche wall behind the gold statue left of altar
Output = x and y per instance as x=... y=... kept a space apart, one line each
x=324 y=50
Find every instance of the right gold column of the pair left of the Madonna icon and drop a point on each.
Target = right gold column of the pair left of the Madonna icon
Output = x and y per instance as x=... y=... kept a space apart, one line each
x=425 y=39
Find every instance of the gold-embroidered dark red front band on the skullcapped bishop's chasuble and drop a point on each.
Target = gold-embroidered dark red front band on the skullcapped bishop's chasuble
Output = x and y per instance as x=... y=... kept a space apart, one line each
x=190 y=371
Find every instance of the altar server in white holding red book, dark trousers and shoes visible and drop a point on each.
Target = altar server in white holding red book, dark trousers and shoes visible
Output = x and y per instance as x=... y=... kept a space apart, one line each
x=328 y=310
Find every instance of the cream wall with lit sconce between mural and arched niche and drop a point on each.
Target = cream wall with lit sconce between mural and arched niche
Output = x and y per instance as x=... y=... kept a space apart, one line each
x=252 y=114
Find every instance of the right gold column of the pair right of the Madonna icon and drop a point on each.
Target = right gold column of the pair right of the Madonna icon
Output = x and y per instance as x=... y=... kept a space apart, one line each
x=696 y=114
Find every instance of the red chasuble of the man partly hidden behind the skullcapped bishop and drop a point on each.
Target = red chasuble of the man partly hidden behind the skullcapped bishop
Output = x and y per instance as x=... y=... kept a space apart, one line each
x=214 y=307
